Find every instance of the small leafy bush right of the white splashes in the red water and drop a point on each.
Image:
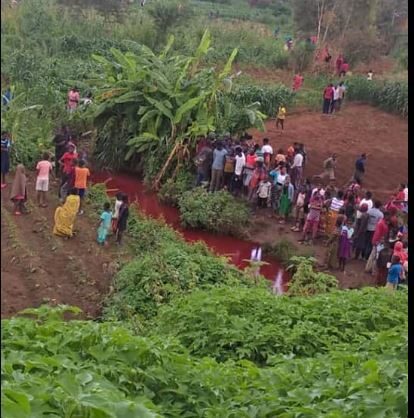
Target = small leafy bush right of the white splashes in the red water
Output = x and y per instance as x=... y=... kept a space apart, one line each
x=306 y=281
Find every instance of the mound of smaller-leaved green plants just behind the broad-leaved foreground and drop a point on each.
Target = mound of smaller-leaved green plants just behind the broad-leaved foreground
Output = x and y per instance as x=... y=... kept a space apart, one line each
x=229 y=323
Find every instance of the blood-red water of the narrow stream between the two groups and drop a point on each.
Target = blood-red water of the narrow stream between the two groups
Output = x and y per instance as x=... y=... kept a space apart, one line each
x=235 y=249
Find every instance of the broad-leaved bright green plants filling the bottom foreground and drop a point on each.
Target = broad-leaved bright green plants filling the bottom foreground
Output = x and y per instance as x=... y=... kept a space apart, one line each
x=87 y=369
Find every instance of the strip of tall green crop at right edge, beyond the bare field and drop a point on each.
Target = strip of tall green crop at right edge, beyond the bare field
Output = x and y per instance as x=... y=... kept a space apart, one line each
x=390 y=96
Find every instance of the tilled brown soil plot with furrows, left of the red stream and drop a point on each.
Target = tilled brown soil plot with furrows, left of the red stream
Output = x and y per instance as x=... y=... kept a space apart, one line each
x=38 y=267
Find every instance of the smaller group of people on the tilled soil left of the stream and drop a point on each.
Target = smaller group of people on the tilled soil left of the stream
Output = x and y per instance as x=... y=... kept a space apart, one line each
x=69 y=169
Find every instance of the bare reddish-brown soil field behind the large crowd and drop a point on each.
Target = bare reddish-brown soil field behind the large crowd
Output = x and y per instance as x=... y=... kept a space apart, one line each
x=356 y=129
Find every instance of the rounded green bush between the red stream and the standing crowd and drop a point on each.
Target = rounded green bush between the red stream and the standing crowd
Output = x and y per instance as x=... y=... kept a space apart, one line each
x=217 y=212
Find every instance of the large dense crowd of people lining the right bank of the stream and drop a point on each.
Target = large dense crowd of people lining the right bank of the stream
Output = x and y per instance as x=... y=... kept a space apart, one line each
x=348 y=220
